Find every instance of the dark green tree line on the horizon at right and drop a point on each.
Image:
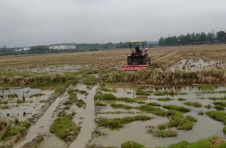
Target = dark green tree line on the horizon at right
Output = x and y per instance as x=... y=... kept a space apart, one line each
x=194 y=39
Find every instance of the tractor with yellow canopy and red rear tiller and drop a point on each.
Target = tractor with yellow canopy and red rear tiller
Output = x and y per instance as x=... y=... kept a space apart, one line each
x=135 y=60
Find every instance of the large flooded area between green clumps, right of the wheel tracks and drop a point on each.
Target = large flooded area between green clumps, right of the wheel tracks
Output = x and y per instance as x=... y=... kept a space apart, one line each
x=137 y=131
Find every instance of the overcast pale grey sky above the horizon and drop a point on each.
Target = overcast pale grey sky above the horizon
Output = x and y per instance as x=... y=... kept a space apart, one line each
x=44 y=22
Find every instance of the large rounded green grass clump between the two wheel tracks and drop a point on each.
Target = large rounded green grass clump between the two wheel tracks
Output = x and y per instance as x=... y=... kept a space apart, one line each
x=64 y=127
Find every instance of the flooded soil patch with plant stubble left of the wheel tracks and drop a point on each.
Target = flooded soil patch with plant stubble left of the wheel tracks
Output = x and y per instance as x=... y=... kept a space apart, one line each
x=32 y=102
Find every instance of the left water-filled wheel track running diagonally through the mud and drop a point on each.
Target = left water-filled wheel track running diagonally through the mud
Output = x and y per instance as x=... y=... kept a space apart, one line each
x=43 y=124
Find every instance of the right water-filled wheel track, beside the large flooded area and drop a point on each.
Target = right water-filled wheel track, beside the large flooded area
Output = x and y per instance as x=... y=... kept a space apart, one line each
x=88 y=122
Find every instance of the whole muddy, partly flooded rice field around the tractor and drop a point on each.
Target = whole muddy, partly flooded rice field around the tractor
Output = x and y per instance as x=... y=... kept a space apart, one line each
x=83 y=100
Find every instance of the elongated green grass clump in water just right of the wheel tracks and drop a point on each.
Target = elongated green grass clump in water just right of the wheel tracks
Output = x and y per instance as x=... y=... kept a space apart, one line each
x=119 y=122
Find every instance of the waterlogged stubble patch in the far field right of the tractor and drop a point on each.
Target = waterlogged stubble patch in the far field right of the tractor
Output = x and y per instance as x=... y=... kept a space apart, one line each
x=197 y=65
